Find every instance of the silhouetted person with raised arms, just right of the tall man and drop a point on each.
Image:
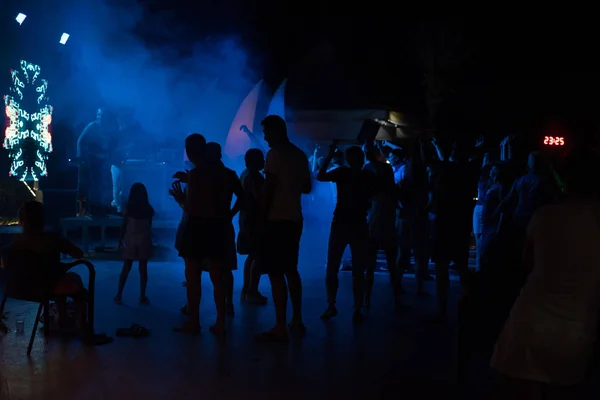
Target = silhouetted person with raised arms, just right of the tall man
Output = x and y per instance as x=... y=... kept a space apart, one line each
x=349 y=225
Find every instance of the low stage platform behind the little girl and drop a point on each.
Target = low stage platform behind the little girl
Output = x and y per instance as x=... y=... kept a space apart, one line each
x=84 y=224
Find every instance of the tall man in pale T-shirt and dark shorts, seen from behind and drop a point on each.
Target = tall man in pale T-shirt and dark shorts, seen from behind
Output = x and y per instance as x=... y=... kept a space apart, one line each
x=287 y=178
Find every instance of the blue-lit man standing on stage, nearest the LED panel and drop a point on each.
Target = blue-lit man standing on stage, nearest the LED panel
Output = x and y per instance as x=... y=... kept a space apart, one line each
x=94 y=148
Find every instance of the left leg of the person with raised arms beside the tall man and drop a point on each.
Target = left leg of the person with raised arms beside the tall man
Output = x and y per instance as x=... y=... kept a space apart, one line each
x=335 y=252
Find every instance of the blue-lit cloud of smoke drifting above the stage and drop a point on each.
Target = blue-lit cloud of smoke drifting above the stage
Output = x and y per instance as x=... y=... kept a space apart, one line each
x=170 y=94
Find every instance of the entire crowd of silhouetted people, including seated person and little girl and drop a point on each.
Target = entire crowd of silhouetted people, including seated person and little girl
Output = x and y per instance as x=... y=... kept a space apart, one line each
x=536 y=316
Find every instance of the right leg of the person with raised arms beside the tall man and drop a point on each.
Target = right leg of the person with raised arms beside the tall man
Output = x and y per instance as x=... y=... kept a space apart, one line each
x=359 y=248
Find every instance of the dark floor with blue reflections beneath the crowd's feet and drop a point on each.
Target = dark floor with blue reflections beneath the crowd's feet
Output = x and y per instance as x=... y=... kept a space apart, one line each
x=392 y=355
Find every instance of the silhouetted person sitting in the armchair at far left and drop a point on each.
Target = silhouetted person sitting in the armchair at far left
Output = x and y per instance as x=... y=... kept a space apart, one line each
x=39 y=252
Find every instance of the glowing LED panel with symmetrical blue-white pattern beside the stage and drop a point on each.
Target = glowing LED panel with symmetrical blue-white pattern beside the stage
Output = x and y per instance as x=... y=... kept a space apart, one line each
x=29 y=116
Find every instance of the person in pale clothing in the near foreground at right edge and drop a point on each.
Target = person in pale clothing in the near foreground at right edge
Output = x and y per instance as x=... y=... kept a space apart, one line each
x=548 y=341
